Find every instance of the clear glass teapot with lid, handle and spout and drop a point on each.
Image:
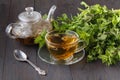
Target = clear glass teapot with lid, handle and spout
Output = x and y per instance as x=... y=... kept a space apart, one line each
x=30 y=24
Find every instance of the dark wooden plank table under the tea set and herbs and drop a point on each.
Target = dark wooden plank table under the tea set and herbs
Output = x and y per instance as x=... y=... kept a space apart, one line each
x=10 y=69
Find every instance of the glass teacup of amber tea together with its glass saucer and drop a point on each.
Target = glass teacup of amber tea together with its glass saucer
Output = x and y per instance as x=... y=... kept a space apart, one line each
x=62 y=47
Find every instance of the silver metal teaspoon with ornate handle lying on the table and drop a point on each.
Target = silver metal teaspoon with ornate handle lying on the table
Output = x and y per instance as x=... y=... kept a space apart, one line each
x=21 y=56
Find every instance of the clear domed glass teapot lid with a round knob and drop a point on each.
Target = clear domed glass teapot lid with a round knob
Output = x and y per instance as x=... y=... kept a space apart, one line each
x=29 y=15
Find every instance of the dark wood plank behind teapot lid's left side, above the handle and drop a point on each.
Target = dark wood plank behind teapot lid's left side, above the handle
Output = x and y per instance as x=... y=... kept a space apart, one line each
x=17 y=7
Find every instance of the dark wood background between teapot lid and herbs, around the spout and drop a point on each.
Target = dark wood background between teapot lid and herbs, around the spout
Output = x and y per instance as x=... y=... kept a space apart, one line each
x=65 y=6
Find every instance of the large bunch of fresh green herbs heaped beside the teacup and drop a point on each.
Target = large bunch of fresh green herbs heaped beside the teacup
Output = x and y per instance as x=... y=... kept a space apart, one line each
x=99 y=27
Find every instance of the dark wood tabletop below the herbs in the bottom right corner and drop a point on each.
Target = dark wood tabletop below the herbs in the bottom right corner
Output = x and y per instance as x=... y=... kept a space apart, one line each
x=94 y=71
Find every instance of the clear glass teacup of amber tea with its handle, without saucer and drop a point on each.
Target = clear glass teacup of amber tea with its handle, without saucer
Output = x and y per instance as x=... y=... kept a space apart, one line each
x=63 y=45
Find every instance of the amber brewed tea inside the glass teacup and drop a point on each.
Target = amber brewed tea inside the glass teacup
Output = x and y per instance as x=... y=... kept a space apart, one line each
x=63 y=47
